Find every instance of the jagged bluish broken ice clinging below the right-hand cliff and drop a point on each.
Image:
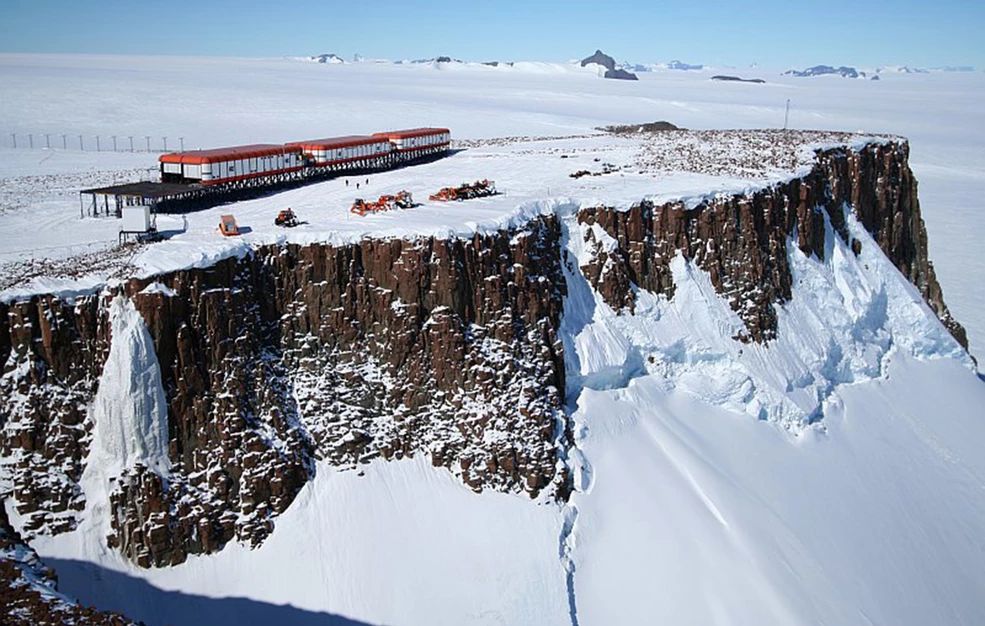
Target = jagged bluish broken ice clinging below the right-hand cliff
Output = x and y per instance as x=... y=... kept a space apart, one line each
x=846 y=316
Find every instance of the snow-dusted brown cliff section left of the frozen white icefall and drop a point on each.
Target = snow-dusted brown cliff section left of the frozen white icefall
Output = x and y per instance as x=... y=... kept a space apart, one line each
x=53 y=351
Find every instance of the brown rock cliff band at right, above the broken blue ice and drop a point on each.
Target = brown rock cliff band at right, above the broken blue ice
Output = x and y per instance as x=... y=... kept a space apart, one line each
x=741 y=240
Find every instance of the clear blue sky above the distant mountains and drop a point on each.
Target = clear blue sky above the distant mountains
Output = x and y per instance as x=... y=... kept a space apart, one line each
x=772 y=33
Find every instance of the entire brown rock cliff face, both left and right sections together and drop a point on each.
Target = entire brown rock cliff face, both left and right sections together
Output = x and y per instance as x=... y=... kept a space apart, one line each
x=391 y=348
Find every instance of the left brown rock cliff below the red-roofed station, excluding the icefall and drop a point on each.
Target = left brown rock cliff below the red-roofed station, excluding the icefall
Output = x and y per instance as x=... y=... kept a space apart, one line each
x=386 y=348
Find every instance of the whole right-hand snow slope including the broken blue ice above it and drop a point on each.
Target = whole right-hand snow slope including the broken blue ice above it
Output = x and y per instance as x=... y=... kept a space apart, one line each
x=829 y=477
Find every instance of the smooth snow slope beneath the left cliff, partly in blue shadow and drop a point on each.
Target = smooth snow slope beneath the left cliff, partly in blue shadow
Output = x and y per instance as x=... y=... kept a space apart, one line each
x=396 y=543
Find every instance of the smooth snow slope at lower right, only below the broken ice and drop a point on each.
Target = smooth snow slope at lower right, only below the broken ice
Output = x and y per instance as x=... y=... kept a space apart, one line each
x=700 y=515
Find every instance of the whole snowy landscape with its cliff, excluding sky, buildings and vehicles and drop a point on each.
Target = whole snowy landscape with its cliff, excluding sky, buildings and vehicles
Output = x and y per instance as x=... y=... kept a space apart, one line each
x=709 y=380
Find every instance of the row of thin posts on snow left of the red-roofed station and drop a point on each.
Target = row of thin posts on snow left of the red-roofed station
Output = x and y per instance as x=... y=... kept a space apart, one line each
x=91 y=143
